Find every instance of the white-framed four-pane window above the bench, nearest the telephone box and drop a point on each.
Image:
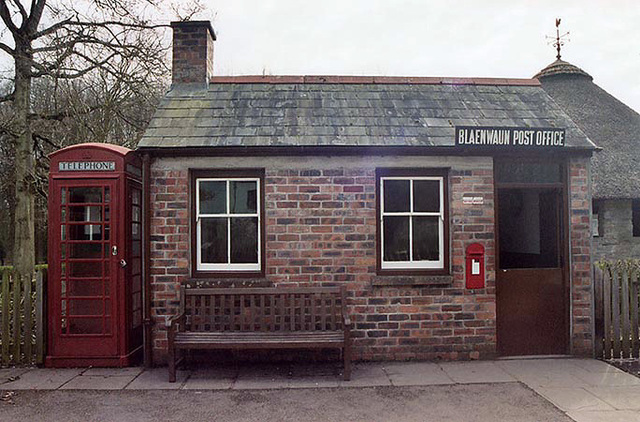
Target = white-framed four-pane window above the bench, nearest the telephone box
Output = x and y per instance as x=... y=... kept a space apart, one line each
x=228 y=224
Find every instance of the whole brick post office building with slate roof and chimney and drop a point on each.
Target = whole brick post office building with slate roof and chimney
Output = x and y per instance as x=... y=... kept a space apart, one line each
x=380 y=184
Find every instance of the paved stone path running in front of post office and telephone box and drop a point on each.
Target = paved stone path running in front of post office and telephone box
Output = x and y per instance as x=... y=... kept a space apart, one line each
x=586 y=390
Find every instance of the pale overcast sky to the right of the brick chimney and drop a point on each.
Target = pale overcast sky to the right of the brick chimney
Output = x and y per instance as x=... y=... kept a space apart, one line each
x=489 y=38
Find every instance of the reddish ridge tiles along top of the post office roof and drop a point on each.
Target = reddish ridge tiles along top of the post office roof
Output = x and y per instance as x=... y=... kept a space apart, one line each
x=336 y=79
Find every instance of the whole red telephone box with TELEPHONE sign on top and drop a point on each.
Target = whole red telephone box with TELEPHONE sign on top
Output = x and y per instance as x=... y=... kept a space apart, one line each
x=95 y=257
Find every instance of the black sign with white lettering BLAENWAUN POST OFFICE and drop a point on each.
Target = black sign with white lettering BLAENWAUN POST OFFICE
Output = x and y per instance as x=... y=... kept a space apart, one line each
x=509 y=137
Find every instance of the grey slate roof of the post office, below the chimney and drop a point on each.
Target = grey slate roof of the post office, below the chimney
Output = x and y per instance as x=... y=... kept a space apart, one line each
x=348 y=111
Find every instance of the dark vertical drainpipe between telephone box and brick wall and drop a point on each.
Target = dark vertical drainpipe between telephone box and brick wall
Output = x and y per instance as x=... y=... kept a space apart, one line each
x=146 y=259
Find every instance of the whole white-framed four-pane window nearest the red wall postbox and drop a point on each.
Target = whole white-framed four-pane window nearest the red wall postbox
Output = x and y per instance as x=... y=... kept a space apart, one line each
x=412 y=222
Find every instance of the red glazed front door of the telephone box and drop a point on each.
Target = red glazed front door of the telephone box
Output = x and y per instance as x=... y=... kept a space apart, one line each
x=85 y=269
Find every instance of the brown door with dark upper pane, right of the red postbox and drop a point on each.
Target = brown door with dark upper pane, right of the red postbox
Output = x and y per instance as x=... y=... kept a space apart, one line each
x=530 y=281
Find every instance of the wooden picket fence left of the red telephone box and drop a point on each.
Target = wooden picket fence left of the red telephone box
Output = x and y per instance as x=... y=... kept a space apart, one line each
x=22 y=323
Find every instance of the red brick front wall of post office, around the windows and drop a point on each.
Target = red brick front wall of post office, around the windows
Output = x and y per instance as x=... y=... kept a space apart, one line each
x=321 y=228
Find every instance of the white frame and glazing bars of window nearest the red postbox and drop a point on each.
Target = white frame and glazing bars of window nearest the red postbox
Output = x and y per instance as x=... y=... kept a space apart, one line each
x=411 y=264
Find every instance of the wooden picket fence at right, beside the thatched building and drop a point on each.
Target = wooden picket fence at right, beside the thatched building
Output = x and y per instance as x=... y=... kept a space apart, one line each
x=617 y=284
